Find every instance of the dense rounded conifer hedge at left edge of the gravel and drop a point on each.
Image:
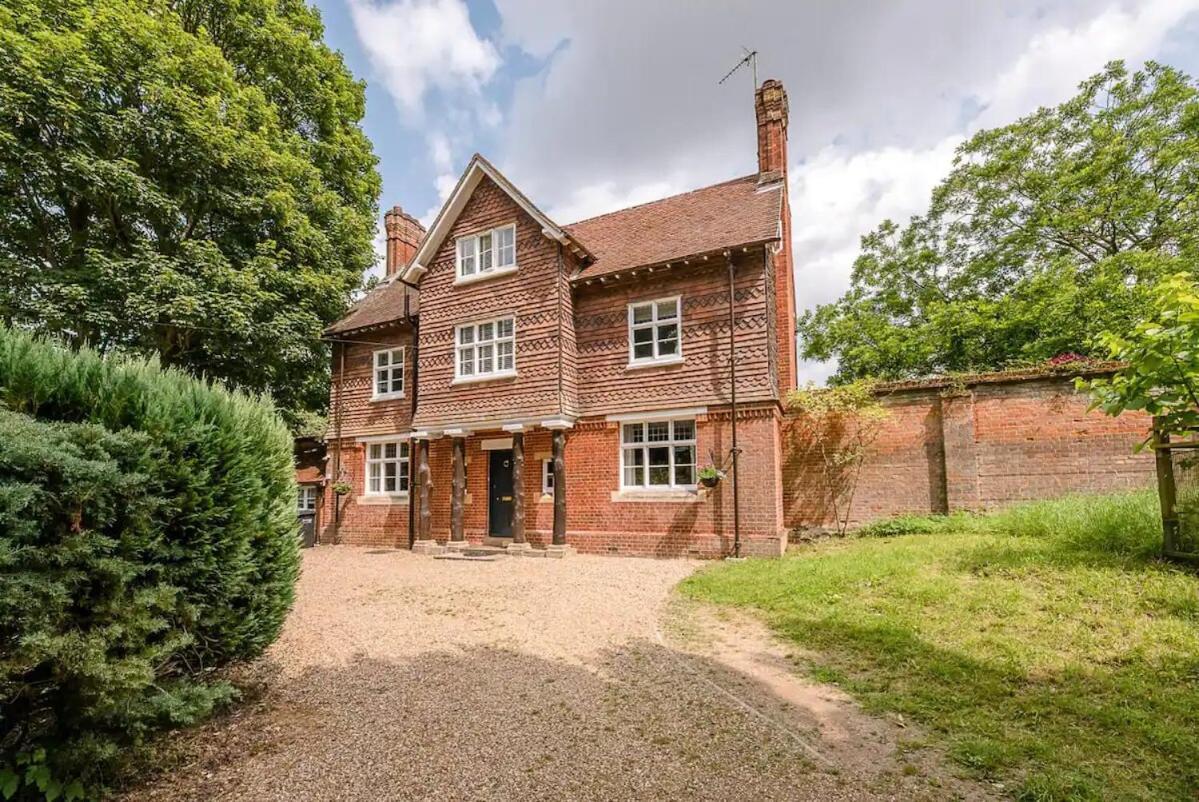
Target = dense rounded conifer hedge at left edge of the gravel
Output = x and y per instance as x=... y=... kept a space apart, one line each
x=148 y=536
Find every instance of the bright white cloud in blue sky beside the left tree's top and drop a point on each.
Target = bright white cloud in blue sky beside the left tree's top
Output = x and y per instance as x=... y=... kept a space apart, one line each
x=417 y=46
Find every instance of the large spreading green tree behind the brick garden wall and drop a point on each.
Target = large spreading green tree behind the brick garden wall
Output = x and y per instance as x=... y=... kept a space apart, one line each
x=1046 y=233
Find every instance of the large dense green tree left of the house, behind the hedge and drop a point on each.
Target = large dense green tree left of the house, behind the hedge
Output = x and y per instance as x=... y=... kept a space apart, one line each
x=184 y=178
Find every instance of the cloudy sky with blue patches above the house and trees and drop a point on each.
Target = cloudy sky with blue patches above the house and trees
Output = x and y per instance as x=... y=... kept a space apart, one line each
x=592 y=106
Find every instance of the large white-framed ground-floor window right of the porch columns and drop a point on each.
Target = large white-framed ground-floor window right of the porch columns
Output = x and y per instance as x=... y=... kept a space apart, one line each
x=658 y=455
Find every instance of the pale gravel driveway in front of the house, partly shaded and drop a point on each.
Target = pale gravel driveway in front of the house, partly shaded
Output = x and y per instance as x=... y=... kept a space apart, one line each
x=406 y=678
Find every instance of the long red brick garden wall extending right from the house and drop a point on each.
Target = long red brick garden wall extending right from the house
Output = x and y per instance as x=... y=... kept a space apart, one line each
x=991 y=443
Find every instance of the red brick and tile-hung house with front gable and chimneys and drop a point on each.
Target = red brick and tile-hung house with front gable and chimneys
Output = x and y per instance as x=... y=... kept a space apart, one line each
x=540 y=385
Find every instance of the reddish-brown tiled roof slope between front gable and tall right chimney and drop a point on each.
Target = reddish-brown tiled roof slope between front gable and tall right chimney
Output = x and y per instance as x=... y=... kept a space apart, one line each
x=724 y=216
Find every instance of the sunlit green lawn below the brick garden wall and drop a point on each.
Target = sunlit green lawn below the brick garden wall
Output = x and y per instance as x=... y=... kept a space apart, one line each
x=1044 y=647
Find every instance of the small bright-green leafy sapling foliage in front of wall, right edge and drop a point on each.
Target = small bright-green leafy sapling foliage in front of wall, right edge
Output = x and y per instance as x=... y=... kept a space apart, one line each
x=1162 y=357
